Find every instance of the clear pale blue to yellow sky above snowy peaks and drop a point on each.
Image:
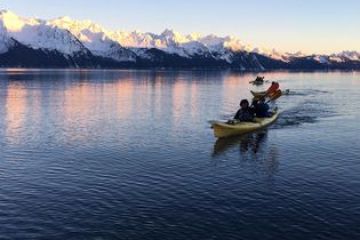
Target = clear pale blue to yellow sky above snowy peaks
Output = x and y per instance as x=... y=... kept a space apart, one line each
x=310 y=26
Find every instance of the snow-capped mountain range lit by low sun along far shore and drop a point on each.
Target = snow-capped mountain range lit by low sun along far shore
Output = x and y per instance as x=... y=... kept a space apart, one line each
x=67 y=43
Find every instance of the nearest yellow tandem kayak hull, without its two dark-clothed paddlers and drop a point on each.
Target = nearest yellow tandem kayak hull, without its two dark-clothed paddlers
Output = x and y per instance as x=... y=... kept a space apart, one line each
x=223 y=129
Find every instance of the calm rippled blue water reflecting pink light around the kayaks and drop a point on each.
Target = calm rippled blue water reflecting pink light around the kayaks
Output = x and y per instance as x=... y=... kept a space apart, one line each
x=130 y=155
